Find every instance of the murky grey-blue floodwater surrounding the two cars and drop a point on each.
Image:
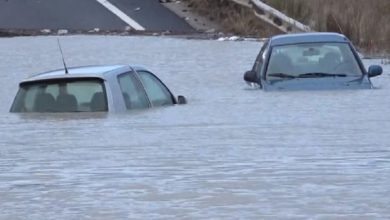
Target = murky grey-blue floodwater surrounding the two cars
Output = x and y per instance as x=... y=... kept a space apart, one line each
x=232 y=152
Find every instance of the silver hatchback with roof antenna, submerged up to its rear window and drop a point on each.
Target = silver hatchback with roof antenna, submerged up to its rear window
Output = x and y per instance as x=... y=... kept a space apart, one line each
x=115 y=88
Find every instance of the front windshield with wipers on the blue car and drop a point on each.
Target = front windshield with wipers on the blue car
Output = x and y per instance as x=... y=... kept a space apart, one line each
x=312 y=60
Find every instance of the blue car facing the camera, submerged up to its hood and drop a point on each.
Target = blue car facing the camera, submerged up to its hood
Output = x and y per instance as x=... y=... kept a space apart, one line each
x=310 y=61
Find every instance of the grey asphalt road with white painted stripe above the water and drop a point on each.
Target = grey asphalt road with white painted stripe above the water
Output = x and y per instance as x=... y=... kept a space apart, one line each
x=147 y=15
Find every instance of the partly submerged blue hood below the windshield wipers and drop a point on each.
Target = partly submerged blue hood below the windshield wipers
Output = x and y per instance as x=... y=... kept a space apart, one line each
x=324 y=83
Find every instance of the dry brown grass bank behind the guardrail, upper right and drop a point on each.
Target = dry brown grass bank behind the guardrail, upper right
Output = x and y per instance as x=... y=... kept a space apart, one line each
x=365 y=22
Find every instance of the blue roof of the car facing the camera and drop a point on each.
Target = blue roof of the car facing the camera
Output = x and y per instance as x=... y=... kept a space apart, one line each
x=314 y=37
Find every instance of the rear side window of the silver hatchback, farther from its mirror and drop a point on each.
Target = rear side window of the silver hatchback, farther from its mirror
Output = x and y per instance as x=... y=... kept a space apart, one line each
x=133 y=94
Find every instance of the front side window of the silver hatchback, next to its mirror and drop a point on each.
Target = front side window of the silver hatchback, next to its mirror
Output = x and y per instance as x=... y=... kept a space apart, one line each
x=158 y=94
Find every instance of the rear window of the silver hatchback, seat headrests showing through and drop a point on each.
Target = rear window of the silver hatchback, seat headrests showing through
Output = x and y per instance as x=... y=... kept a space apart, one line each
x=87 y=95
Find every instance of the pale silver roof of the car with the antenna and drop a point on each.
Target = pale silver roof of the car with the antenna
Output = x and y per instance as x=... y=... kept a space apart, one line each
x=93 y=71
